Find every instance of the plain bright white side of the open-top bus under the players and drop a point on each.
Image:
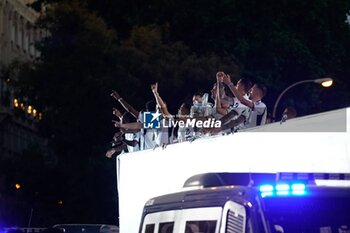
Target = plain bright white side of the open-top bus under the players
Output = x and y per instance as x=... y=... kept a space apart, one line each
x=315 y=143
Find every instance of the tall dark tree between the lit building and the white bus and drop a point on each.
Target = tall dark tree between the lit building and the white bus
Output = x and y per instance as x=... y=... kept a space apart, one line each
x=68 y=82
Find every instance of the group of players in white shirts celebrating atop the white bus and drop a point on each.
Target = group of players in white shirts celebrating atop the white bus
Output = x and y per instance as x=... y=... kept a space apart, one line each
x=234 y=106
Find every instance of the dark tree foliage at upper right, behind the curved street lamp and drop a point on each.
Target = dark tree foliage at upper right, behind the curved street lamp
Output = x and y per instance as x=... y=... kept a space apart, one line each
x=273 y=42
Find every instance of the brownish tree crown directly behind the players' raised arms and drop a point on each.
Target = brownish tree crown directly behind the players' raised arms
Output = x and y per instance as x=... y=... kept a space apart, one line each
x=147 y=57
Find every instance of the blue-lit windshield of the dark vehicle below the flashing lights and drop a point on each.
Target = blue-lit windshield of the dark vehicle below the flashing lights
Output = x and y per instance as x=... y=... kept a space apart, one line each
x=308 y=214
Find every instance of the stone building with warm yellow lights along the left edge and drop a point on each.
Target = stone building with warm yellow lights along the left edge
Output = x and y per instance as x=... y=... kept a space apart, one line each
x=19 y=136
